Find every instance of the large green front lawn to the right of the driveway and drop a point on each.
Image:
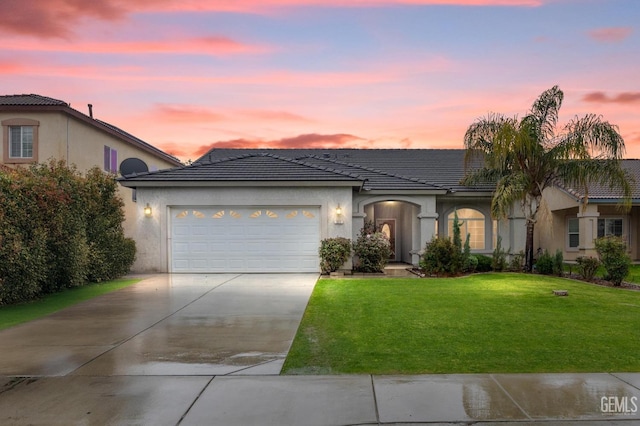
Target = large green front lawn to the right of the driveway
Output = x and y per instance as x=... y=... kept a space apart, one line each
x=485 y=323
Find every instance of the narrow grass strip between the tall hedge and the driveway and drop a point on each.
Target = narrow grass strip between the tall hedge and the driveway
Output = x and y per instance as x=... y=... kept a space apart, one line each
x=18 y=314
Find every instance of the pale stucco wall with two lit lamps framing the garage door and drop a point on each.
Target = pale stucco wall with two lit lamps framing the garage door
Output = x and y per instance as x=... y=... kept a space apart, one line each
x=152 y=233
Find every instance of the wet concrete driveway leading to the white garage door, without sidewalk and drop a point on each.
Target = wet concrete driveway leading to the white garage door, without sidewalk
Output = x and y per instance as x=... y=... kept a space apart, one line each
x=166 y=325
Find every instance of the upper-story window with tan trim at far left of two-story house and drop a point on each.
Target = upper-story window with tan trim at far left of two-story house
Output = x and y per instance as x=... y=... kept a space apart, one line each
x=20 y=140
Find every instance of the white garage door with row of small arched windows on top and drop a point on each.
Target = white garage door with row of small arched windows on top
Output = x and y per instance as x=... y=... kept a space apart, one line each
x=241 y=239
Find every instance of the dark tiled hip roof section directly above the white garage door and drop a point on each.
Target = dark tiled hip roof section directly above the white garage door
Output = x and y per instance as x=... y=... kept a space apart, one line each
x=247 y=168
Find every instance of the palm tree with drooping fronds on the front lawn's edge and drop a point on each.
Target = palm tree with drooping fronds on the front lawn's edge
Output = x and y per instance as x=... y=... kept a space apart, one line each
x=524 y=156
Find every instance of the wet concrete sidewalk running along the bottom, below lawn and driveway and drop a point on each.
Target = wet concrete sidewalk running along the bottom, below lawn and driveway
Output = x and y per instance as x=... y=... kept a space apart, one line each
x=504 y=399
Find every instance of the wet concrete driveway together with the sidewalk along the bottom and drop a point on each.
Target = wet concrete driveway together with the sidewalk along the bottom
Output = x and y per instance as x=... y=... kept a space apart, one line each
x=207 y=350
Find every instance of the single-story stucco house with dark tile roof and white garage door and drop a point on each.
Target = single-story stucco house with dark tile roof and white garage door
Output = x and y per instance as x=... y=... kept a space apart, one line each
x=266 y=210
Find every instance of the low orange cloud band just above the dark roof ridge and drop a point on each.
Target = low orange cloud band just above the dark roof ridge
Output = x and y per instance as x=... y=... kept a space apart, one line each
x=312 y=140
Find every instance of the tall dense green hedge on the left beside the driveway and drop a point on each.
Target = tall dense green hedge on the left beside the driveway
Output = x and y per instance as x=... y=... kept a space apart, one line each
x=59 y=229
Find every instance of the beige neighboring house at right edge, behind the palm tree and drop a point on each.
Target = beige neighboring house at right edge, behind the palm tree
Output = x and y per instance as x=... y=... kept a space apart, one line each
x=567 y=224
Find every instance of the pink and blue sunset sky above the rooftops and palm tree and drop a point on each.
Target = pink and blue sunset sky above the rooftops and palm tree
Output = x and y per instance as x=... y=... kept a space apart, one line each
x=194 y=74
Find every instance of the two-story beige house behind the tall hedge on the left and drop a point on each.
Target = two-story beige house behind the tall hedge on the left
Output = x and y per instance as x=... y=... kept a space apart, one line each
x=37 y=128
